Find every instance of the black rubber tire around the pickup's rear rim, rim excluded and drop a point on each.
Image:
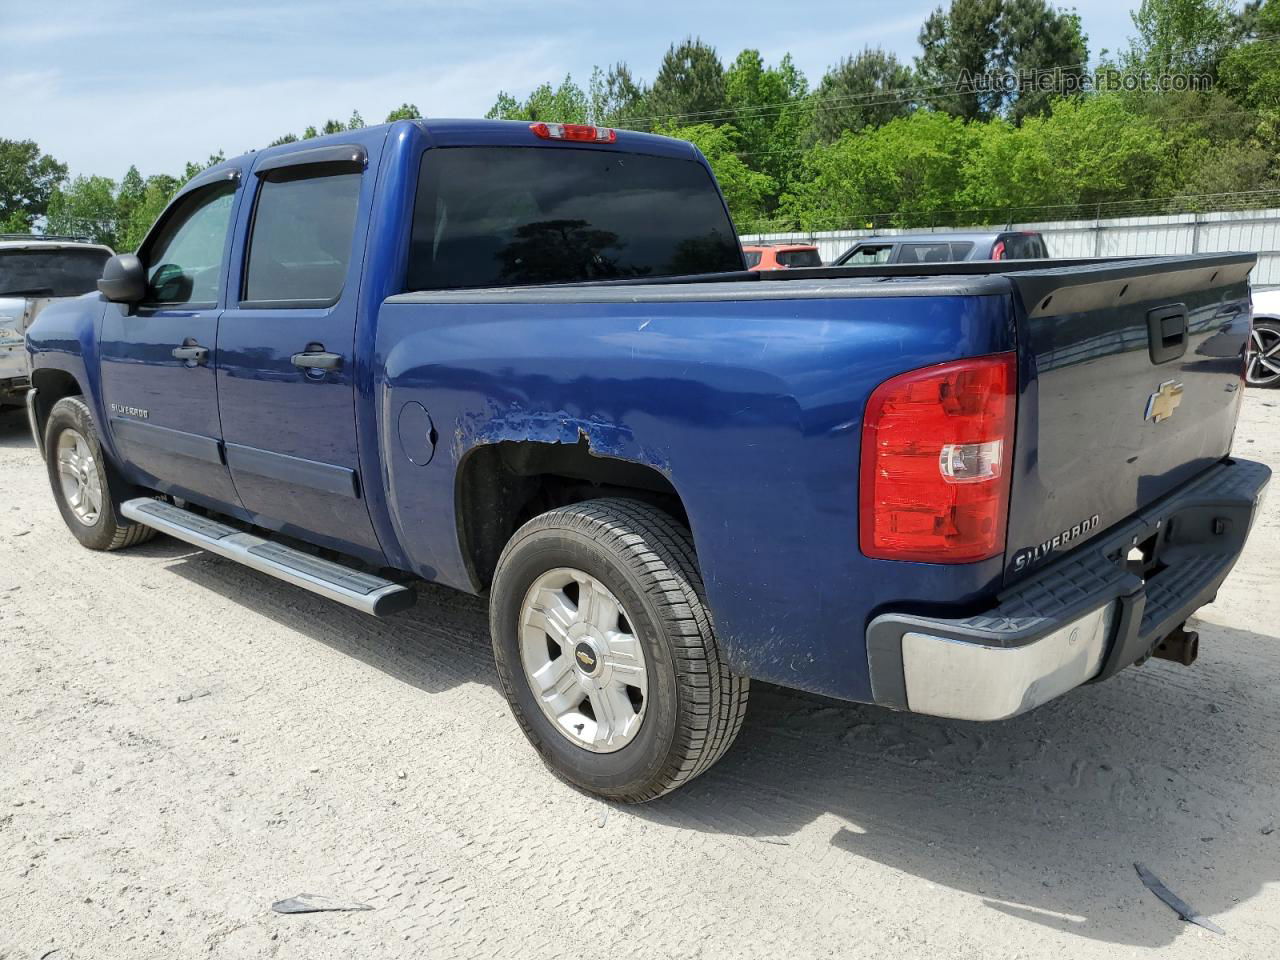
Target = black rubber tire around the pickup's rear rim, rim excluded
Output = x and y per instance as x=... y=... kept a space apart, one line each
x=694 y=705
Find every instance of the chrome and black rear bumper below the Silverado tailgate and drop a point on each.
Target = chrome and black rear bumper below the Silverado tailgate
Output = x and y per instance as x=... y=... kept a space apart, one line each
x=1081 y=620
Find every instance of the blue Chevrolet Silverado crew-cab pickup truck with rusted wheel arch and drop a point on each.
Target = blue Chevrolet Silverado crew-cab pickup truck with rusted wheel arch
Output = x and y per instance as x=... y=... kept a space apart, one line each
x=527 y=362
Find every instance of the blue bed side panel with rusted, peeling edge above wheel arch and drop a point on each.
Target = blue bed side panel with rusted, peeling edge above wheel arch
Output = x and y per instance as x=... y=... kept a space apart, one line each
x=752 y=409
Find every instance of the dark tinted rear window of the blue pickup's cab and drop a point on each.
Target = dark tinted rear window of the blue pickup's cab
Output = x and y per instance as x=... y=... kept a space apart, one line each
x=492 y=217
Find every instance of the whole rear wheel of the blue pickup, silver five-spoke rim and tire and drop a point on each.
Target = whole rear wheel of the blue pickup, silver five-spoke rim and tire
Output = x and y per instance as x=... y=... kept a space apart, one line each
x=606 y=651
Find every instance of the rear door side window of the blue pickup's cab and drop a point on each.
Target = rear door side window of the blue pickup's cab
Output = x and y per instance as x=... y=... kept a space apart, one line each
x=300 y=244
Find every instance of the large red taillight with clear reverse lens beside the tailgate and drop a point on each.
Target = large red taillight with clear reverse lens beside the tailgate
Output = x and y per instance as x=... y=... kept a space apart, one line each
x=938 y=446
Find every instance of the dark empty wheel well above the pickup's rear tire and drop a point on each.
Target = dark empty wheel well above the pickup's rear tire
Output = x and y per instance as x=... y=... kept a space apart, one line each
x=501 y=486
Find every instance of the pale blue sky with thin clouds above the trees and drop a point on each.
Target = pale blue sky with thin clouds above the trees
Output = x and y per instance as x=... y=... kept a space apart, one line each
x=103 y=86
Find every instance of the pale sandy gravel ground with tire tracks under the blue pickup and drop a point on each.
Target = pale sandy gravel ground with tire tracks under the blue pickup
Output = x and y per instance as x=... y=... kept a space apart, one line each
x=185 y=742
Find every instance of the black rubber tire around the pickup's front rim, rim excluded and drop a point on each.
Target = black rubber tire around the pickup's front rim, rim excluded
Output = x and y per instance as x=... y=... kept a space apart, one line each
x=109 y=531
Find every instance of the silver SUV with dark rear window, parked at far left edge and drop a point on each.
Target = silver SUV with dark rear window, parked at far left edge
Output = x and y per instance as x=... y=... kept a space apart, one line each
x=35 y=271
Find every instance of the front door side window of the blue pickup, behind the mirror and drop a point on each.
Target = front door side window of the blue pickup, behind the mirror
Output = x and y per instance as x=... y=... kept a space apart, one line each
x=185 y=259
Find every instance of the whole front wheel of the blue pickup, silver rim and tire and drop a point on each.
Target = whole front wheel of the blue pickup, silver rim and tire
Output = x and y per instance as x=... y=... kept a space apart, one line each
x=88 y=491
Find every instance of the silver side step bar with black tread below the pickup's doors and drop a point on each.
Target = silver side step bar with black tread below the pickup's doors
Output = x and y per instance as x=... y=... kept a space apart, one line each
x=321 y=577
